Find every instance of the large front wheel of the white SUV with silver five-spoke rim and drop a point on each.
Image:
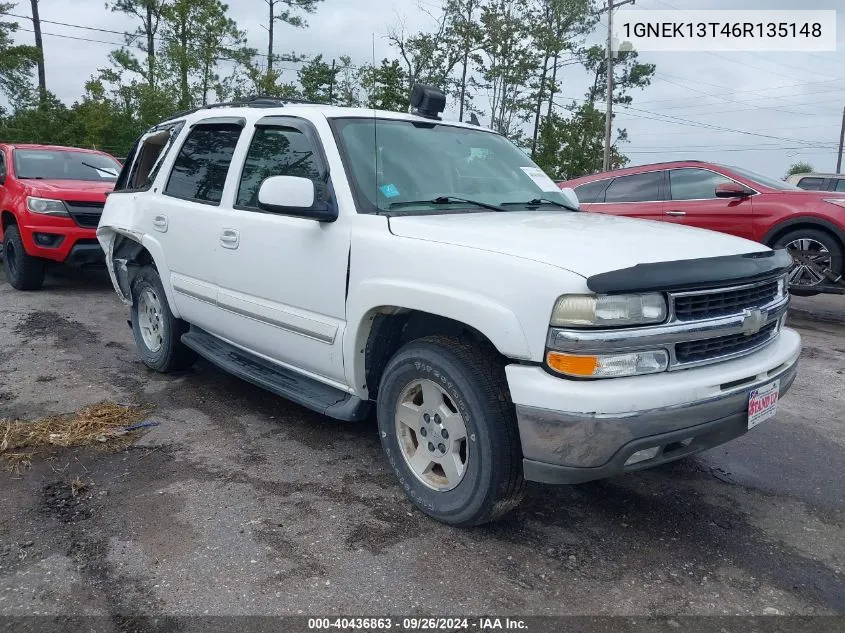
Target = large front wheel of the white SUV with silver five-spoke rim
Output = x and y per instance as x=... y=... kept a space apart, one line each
x=449 y=430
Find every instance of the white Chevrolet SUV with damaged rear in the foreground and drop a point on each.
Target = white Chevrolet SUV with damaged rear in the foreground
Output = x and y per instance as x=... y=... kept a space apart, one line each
x=352 y=260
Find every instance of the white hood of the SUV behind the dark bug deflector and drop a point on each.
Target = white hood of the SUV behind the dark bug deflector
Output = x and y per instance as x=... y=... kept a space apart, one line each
x=584 y=243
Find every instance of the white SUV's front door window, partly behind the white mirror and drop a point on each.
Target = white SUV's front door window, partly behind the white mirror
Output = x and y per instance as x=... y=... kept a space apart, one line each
x=277 y=151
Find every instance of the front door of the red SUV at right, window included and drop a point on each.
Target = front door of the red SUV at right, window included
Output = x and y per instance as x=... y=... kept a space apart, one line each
x=692 y=201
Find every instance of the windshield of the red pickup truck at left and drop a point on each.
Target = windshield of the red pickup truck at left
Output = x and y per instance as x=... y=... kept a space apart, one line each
x=65 y=165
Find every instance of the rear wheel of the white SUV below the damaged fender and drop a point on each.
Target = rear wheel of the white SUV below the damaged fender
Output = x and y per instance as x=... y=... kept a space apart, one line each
x=158 y=334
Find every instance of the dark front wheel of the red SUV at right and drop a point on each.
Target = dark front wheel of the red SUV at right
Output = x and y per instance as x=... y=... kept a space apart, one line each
x=815 y=246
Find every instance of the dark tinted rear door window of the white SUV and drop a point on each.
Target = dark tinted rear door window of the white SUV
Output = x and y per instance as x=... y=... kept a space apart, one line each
x=199 y=172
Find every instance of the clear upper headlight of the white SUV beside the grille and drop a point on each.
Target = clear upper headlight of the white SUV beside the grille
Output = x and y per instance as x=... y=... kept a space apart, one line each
x=608 y=310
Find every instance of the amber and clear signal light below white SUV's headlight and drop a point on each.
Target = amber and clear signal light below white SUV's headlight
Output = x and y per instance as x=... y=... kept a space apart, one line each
x=608 y=365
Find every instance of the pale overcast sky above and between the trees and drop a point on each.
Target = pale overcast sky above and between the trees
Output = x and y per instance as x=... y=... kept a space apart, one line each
x=761 y=111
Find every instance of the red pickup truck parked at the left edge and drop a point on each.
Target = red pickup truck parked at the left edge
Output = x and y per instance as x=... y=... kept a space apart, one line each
x=51 y=199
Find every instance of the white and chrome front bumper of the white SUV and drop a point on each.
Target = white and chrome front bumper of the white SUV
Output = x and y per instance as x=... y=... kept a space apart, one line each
x=576 y=431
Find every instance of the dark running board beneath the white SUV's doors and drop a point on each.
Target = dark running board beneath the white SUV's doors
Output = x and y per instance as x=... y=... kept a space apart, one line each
x=283 y=382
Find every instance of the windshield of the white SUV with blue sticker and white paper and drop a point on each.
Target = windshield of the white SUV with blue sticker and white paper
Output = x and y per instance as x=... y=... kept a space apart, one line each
x=394 y=162
